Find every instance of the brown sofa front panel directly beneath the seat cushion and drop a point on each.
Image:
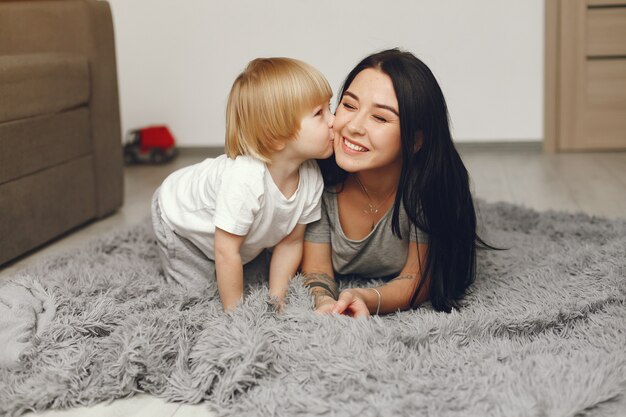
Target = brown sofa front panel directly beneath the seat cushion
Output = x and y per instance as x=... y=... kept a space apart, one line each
x=36 y=143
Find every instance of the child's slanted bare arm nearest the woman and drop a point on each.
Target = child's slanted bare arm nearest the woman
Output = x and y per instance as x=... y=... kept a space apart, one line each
x=285 y=261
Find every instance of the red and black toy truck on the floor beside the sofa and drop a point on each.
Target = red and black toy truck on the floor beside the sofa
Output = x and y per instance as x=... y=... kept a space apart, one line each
x=152 y=144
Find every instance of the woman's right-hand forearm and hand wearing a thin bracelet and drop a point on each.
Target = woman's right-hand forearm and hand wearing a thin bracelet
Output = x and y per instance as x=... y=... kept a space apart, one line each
x=394 y=295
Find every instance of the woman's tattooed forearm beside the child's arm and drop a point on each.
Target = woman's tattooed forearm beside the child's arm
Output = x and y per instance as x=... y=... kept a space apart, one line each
x=317 y=268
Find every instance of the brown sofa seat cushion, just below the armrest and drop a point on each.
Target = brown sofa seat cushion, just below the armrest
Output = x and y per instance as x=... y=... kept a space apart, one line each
x=36 y=84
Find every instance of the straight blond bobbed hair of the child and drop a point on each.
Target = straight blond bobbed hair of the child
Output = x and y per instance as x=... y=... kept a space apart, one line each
x=267 y=102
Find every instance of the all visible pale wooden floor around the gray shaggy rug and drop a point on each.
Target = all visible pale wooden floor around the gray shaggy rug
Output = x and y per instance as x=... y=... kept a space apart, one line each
x=594 y=183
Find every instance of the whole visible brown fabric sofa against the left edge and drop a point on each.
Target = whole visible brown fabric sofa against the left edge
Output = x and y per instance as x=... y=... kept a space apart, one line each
x=61 y=159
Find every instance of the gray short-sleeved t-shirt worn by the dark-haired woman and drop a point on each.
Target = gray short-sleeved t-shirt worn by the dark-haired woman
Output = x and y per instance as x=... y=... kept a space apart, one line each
x=380 y=254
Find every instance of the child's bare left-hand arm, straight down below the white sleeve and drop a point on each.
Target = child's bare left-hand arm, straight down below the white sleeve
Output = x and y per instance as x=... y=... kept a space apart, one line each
x=228 y=267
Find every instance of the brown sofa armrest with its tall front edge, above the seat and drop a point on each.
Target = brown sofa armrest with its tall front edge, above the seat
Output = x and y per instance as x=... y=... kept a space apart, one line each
x=83 y=27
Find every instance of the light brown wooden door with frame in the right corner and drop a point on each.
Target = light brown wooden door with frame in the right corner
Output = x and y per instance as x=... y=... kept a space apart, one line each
x=585 y=90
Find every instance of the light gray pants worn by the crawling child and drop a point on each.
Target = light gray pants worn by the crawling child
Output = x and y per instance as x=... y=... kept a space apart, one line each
x=185 y=264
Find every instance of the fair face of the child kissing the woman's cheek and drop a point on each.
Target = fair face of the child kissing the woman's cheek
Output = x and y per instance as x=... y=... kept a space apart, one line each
x=314 y=140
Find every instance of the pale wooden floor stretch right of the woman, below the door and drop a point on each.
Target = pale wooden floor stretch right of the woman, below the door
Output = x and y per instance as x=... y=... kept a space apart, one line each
x=594 y=183
